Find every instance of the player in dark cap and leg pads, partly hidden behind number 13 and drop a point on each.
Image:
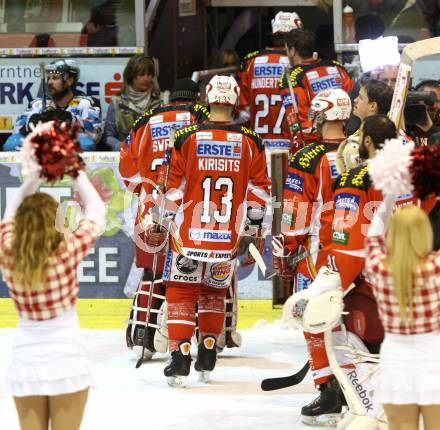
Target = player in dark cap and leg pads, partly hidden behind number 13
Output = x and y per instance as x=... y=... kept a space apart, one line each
x=142 y=155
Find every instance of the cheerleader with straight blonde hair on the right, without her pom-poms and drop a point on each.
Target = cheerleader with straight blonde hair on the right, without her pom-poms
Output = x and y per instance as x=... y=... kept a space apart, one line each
x=405 y=274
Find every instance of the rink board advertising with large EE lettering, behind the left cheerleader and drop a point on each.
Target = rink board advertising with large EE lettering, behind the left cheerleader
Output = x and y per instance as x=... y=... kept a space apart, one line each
x=105 y=272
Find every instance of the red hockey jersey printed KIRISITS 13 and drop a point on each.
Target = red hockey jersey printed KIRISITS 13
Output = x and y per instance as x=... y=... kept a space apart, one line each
x=215 y=170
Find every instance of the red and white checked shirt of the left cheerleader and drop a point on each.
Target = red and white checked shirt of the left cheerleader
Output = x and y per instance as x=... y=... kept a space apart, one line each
x=60 y=289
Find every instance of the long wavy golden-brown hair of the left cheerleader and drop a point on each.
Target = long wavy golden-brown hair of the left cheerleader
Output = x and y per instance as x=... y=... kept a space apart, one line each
x=35 y=239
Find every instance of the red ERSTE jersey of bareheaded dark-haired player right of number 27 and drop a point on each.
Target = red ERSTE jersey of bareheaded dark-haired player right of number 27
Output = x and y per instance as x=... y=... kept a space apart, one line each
x=308 y=80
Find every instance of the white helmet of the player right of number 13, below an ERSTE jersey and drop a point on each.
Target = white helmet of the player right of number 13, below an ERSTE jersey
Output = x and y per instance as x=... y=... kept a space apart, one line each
x=333 y=104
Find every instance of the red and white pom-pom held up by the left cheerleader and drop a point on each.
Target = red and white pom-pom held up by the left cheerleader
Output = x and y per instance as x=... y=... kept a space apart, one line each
x=57 y=151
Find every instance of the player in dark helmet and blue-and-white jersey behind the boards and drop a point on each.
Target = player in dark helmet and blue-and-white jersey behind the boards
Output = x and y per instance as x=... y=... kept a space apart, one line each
x=63 y=104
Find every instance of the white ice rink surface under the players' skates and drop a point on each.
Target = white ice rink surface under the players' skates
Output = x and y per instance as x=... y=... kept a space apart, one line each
x=127 y=398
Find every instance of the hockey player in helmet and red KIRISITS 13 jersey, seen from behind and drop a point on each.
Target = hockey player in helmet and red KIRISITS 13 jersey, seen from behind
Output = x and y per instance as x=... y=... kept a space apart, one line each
x=218 y=181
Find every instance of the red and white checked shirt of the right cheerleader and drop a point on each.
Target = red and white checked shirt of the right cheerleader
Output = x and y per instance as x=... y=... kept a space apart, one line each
x=426 y=291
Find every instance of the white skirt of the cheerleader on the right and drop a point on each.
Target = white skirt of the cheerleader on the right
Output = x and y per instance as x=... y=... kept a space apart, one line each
x=409 y=369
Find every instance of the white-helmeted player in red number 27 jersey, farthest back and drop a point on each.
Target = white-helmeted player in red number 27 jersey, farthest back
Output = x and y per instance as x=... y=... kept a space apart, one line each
x=260 y=101
